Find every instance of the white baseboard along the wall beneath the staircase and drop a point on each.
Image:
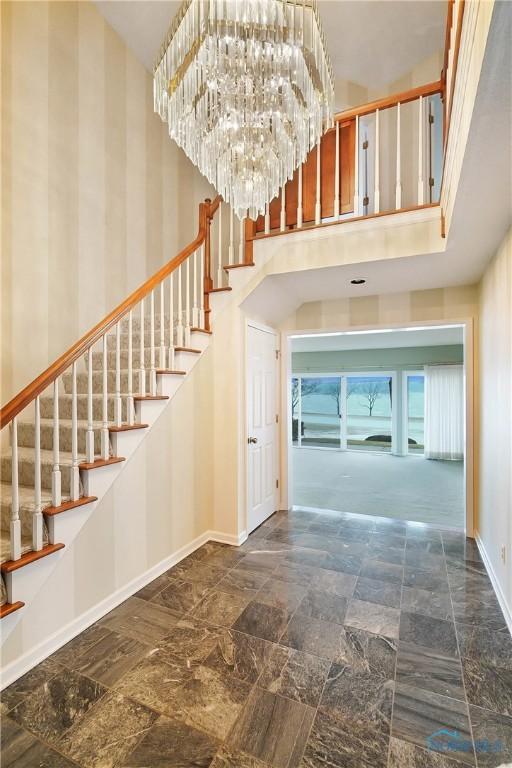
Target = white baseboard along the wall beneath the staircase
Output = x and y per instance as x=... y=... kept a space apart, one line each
x=27 y=661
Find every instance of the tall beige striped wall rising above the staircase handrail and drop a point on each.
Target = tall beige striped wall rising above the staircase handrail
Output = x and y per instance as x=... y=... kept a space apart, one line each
x=95 y=196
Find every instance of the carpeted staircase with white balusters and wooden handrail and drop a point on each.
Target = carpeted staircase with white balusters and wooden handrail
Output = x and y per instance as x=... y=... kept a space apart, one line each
x=71 y=429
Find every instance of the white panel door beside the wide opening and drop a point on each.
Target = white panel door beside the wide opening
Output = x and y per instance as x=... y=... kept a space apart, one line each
x=261 y=425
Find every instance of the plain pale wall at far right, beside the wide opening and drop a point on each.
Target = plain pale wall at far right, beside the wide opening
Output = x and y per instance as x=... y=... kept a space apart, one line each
x=495 y=487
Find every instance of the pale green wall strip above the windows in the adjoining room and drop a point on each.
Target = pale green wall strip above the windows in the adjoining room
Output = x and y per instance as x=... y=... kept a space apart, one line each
x=403 y=358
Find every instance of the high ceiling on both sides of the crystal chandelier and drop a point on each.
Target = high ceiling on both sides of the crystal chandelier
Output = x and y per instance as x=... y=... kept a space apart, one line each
x=371 y=42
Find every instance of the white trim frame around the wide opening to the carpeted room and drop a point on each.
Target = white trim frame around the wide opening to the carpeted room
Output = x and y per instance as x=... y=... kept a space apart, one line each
x=470 y=373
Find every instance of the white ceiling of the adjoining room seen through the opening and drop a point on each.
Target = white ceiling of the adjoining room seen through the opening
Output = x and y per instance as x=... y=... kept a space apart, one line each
x=389 y=339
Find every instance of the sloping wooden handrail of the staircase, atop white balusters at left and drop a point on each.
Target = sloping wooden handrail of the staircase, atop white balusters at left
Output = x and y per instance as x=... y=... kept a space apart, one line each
x=36 y=387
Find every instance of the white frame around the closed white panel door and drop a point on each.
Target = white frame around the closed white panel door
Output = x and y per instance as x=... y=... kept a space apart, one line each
x=278 y=431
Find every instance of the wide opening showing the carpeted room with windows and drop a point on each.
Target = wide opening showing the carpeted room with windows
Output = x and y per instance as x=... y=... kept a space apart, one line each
x=378 y=423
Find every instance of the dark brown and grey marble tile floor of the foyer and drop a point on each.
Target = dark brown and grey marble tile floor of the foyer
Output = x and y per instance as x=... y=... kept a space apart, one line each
x=324 y=641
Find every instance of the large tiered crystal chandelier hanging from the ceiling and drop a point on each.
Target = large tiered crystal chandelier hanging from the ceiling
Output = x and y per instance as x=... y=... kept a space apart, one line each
x=246 y=87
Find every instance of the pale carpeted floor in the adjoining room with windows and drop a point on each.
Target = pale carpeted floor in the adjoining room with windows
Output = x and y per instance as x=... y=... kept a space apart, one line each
x=400 y=487
